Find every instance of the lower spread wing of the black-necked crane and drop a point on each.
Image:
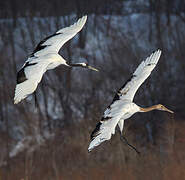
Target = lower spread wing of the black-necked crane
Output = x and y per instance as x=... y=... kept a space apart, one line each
x=28 y=77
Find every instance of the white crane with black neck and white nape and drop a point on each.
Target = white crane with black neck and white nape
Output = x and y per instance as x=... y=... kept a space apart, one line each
x=46 y=57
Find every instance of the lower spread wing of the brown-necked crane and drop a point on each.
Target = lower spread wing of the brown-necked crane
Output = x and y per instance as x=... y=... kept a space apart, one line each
x=106 y=127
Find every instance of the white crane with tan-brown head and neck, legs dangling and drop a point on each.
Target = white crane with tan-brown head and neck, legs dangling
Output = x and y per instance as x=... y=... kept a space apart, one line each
x=122 y=106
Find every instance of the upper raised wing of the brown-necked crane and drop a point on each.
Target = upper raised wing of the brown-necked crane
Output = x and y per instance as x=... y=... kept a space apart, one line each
x=128 y=90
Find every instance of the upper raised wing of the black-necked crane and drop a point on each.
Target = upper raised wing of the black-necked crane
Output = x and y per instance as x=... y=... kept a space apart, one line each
x=54 y=42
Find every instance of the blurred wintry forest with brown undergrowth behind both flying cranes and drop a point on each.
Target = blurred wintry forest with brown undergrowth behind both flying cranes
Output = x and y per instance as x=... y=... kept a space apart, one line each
x=50 y=142
